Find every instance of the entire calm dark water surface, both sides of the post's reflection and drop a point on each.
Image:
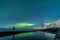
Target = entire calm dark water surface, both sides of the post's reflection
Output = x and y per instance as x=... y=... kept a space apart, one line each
x=30 y=36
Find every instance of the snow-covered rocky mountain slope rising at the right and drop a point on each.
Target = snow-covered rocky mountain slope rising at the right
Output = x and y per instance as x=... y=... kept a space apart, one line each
x=49 y=25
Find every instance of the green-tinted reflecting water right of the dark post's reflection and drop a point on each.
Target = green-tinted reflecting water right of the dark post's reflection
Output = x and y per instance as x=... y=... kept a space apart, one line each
x=33 y=35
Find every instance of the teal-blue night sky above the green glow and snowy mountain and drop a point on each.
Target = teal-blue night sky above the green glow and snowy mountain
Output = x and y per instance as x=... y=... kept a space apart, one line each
x=29 y=11
